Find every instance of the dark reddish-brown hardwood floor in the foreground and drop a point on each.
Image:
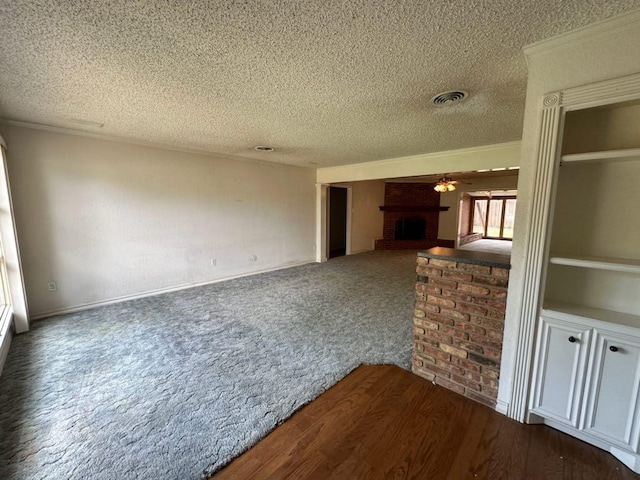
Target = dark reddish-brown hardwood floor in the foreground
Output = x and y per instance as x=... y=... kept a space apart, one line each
x=383 y=422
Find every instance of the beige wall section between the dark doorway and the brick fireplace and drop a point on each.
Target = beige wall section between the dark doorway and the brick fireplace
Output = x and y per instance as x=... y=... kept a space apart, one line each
x=366 y=217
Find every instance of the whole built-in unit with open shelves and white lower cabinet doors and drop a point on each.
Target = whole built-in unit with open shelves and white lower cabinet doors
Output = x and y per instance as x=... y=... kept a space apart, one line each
x=586 y=370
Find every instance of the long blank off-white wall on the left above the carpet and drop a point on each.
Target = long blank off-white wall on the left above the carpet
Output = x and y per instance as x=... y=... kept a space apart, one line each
x=106 y=220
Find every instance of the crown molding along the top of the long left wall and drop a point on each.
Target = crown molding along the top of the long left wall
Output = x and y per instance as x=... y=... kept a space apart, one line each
x=142 y=143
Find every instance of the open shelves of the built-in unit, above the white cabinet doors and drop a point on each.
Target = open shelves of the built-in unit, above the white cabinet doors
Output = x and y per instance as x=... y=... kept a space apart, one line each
x=594 y=251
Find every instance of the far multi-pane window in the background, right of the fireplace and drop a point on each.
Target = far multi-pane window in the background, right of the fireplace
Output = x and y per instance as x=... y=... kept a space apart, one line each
x=493 y=217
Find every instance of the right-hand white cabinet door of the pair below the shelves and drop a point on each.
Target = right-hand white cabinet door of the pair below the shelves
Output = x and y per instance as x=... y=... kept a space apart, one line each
x=611 y=410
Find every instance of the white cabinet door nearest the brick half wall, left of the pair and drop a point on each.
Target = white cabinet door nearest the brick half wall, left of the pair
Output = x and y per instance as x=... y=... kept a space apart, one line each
x=560 y=370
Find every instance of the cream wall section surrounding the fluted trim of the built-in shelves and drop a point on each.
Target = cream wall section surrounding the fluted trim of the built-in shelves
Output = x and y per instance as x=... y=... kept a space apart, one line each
x=601 y=52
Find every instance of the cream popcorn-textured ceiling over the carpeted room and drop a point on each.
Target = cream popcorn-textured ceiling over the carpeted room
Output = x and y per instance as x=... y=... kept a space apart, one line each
x=326 y=82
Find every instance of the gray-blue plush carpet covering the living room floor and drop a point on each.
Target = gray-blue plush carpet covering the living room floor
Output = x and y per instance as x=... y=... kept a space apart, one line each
x=175 y=386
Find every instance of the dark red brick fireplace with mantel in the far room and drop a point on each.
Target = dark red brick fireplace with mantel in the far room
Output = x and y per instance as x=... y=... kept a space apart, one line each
x=411 y=215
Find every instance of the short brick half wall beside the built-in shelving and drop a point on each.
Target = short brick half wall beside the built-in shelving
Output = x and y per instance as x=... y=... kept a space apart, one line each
x=459 y=320
